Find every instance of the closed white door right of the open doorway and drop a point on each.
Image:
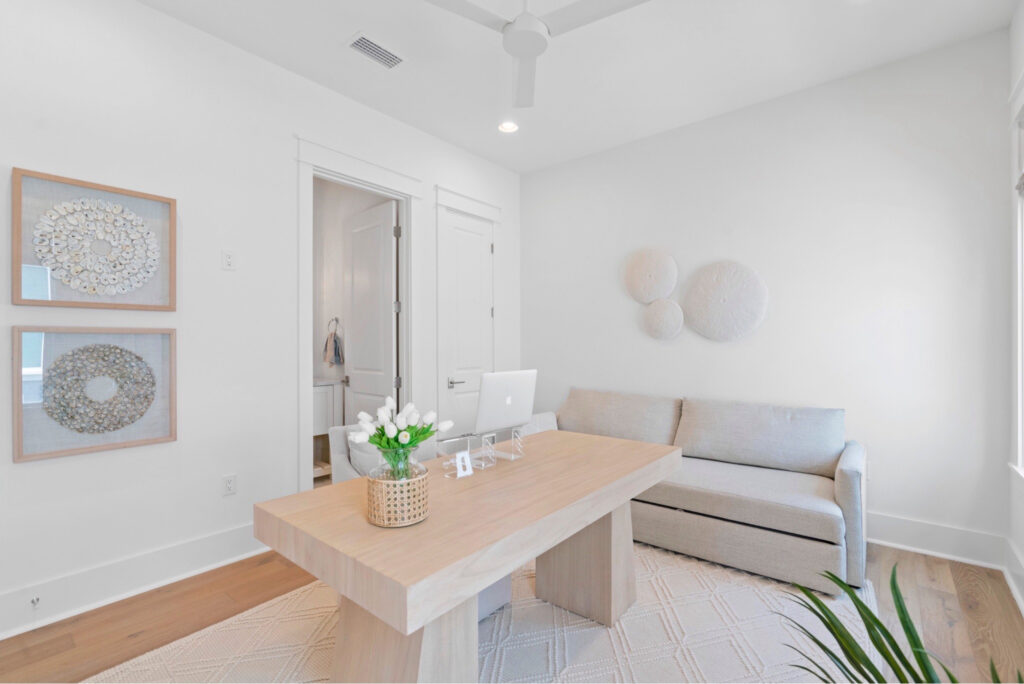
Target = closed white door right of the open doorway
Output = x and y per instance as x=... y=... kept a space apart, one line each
x=465 y=314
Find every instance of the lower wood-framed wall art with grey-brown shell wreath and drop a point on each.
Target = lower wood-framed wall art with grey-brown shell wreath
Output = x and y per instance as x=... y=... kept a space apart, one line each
x=90 y=390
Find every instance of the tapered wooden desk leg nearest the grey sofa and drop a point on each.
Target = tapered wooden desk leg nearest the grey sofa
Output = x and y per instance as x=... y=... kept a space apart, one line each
x=591 y=573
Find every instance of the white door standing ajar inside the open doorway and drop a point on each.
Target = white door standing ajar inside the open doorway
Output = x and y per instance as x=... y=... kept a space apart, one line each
x=369 y=319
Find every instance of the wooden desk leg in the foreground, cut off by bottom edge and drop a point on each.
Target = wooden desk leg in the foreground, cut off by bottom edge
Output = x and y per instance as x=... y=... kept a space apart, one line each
x=370 y=651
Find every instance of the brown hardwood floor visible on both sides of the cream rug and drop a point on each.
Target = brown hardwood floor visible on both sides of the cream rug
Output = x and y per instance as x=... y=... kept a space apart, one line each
x=966 y=614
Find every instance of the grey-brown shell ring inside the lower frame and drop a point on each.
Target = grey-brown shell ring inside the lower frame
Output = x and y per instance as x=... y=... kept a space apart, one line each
x=67 y=396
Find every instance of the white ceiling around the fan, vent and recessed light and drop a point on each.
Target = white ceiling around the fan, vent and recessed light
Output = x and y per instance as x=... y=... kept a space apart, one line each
x=647 y=70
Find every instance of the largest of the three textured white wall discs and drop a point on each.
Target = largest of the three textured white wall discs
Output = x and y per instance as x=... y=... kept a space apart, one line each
x=726 y=302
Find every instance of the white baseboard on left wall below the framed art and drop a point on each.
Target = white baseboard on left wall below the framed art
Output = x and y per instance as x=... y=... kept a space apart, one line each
x=91 y=588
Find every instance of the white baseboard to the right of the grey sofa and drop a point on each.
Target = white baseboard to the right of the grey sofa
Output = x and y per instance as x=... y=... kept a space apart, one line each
x=960 y=544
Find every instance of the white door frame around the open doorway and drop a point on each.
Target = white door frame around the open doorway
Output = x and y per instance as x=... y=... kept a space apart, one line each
x=317 y=161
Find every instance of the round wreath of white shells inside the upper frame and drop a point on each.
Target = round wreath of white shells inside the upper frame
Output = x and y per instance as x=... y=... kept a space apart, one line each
x=97 y=247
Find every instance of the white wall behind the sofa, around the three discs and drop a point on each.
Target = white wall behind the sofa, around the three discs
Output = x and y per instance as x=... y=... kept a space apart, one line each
x=876 y=209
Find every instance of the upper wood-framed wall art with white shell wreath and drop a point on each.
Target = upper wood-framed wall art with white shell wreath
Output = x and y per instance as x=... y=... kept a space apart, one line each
x=81 y=244
